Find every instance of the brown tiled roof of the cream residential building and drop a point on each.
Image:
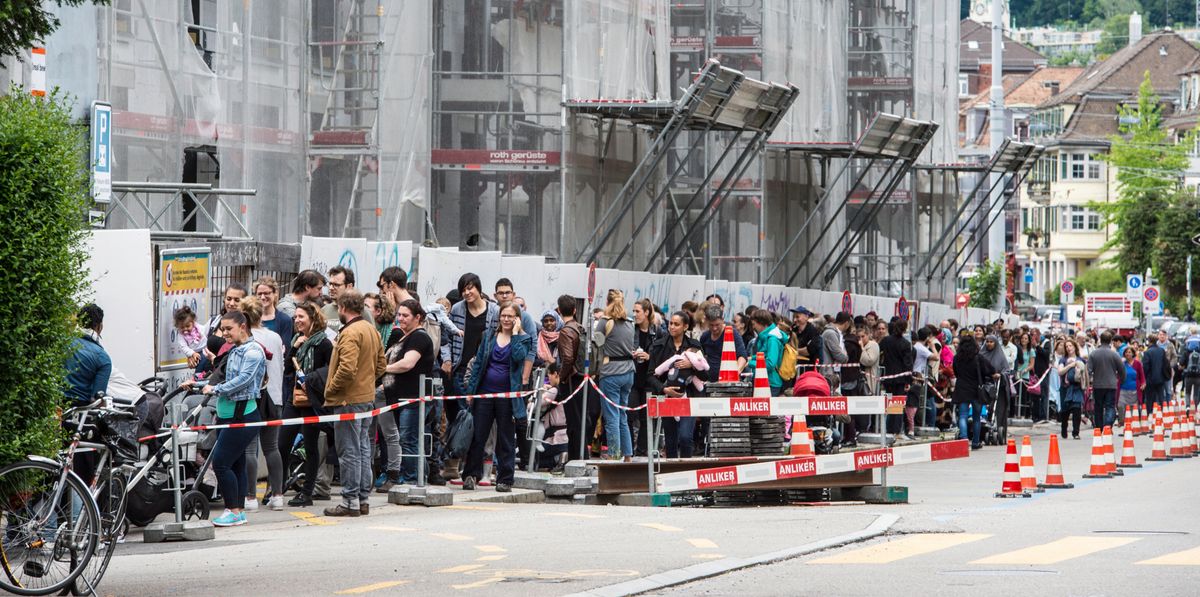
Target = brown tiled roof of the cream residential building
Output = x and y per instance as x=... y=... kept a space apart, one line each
x=1161 y=53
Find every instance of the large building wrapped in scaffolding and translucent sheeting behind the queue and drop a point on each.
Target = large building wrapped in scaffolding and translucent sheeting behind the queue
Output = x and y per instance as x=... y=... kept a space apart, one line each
x=779 y=142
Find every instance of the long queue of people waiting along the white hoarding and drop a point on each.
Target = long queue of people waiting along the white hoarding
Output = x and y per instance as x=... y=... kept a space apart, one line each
x=308 y=353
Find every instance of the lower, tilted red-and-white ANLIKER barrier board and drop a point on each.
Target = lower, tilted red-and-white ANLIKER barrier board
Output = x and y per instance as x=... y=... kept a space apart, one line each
x=811 y=466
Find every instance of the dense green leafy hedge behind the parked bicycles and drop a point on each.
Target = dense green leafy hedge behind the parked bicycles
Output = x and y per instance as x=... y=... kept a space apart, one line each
x=44 y=186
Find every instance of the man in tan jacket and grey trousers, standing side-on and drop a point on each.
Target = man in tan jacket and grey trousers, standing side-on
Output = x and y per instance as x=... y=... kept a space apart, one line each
x=357 y=363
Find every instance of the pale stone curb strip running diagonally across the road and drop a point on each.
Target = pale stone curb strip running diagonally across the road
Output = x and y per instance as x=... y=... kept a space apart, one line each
x=703 y=571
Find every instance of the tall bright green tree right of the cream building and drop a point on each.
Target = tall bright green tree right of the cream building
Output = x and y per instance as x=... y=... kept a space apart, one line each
x=1150 y=168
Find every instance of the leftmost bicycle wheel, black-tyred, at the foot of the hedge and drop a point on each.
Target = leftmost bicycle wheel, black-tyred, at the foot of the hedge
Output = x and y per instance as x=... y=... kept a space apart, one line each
x=46 y=544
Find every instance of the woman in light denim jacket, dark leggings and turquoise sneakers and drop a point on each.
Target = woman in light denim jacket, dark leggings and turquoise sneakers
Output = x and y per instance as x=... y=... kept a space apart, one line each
x=237 y=403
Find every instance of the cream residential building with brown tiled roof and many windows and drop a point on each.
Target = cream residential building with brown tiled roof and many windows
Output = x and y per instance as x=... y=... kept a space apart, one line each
x=1063 y=234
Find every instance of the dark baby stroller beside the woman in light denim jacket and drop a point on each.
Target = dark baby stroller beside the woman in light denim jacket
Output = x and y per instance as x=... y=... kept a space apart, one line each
x=152 y=492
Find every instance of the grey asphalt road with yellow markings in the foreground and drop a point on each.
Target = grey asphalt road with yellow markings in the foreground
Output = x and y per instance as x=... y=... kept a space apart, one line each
x=953 y=539
